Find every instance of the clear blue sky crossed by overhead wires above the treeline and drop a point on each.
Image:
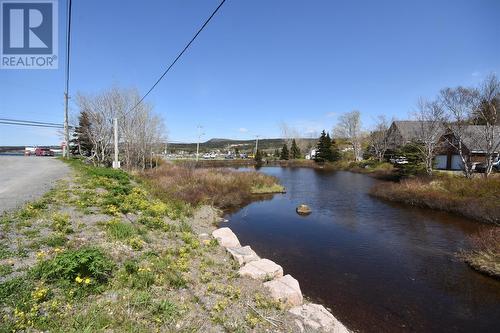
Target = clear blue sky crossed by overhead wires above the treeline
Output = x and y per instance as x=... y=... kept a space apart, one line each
x=259 y=63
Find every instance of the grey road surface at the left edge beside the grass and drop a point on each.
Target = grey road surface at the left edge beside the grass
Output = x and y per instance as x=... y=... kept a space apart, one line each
x=24 y=179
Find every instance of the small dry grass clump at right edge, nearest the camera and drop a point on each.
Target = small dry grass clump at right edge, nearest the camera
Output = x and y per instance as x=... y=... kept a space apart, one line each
x=485 y=253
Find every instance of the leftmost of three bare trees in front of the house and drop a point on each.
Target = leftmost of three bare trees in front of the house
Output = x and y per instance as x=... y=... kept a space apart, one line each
x=430 y=117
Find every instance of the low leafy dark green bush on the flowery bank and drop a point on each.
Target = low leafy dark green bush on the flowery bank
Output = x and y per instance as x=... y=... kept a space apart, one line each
x=88 y=262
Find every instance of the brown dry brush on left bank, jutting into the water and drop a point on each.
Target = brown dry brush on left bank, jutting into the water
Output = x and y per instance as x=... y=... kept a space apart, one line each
x=222 y=188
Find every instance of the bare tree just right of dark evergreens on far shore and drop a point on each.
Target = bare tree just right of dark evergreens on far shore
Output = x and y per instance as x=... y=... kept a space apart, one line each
x=349 y=127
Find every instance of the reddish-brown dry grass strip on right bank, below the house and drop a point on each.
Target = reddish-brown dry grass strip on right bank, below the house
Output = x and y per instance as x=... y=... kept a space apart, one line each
x=476 y=198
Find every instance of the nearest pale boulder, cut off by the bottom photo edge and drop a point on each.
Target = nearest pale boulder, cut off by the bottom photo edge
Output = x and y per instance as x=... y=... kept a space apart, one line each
x=316 y=317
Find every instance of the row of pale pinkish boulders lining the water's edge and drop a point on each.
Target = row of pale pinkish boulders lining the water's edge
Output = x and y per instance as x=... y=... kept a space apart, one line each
x=282 y=288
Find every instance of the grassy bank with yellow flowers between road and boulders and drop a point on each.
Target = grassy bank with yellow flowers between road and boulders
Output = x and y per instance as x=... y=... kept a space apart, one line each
x=101 y=253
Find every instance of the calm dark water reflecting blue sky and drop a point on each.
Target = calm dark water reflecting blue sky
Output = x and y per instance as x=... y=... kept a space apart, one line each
x=376 y=265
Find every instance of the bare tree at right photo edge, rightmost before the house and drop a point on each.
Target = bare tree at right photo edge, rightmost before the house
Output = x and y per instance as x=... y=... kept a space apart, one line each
x=487 y=115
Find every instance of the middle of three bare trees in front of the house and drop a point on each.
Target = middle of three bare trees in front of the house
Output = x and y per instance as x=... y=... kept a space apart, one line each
x=460 y=104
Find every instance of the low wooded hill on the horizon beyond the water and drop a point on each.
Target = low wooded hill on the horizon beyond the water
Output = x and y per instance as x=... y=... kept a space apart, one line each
x=226 y=144
